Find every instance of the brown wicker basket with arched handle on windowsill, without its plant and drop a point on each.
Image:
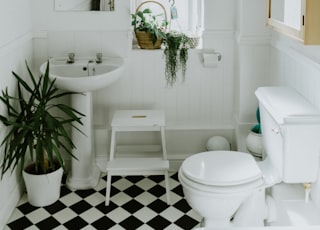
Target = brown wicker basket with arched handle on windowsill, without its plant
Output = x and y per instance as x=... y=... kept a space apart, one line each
x=145 y=39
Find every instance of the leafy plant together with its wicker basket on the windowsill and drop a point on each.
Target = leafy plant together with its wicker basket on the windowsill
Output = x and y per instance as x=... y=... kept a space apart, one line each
x=149 y=28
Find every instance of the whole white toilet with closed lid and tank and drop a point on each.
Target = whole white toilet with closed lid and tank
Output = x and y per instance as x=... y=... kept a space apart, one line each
x=225 y=187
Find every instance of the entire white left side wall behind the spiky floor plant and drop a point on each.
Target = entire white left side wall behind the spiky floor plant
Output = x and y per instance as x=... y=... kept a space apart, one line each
x=15 y=49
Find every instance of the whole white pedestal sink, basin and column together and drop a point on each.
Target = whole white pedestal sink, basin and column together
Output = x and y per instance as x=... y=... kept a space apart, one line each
x=84 y=76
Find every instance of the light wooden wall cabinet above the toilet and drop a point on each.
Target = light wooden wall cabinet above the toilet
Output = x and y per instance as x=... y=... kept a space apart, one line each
x=299 y=19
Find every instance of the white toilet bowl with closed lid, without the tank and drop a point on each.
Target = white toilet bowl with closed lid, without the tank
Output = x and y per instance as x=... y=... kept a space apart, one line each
x=215 y=183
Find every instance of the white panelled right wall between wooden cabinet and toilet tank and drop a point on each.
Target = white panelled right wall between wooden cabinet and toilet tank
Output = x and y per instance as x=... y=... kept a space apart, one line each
x=297 y=66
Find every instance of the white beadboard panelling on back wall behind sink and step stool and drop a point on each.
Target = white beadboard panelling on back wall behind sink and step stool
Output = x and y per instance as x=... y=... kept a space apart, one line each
x=196 y=109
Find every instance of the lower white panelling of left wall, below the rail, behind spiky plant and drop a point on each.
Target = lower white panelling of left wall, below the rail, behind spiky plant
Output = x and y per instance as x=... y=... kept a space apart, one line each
x=12 y=58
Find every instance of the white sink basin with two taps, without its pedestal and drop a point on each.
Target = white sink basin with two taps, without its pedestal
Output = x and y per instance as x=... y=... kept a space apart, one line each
x=82 y=75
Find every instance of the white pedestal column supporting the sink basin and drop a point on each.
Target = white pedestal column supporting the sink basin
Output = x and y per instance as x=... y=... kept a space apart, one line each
x=84 y=172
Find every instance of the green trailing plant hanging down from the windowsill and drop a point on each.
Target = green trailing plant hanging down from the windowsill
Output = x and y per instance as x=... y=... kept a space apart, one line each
x=176 y=56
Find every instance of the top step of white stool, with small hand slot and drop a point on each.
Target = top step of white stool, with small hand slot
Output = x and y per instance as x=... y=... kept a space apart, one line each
x=138 y=118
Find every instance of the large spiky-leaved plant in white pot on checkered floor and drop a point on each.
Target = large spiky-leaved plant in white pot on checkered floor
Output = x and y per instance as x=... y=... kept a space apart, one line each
x=36 y=130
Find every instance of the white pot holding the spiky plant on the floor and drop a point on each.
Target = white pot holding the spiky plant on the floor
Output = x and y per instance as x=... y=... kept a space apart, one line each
x=43 y=190
